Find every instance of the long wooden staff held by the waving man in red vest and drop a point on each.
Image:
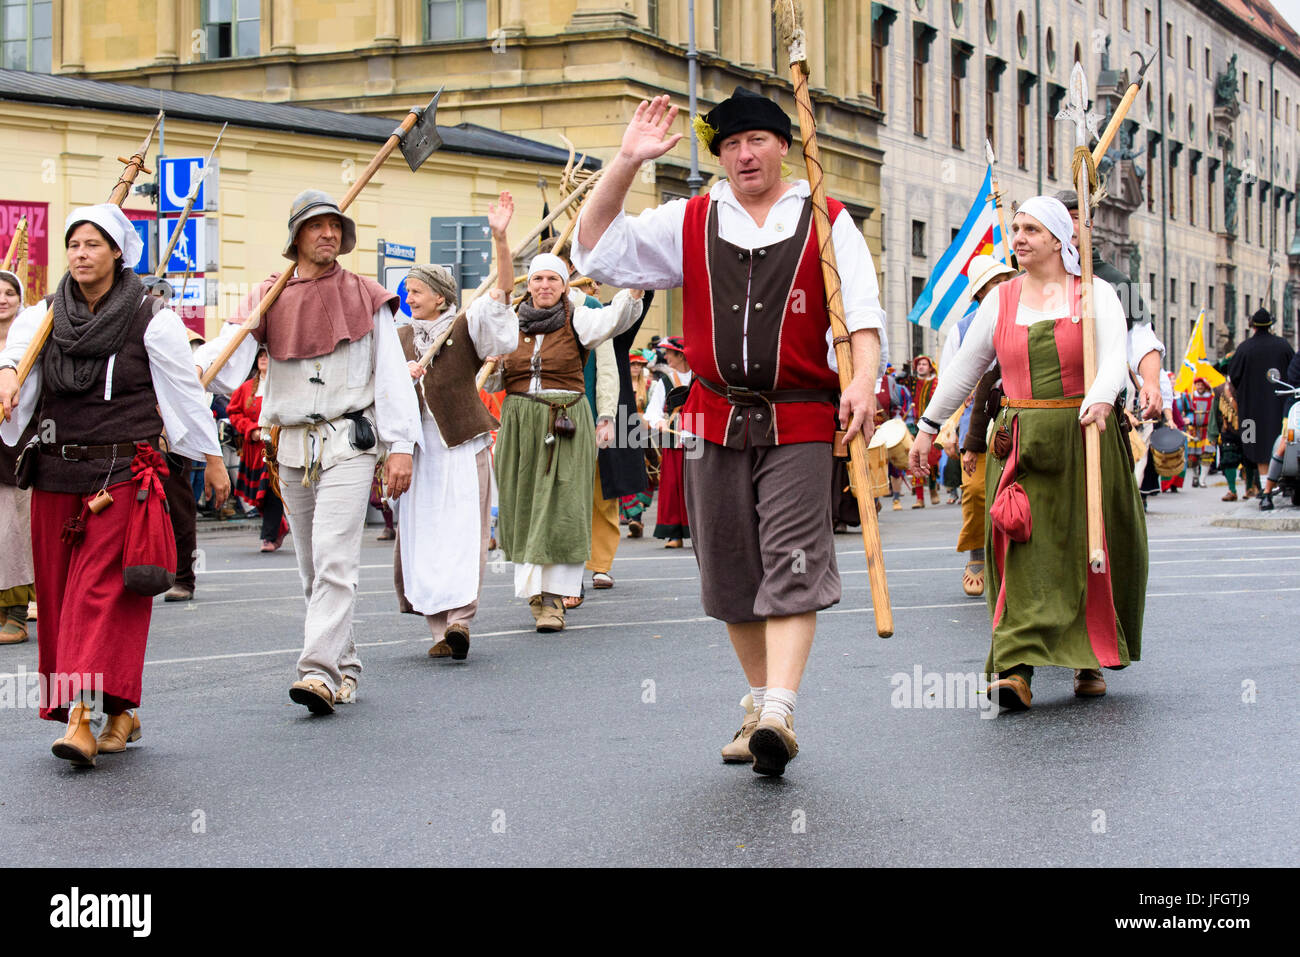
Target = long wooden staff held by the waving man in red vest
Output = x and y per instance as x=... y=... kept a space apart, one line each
x=790 y=20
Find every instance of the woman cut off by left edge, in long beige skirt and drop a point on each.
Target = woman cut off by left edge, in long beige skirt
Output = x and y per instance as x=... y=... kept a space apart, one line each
x=16 y=574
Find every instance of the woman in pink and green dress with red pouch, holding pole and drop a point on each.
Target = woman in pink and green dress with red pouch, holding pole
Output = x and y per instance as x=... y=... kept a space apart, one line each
x=1047 y=608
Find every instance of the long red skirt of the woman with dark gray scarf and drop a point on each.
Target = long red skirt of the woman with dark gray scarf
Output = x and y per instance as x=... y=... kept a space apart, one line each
x=92 y=630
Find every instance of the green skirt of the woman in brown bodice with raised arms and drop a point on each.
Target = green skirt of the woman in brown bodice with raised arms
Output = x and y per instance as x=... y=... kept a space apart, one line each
x=545 y=491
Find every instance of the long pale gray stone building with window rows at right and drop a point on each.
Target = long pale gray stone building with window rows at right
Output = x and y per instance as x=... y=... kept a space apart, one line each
x=1202 y=183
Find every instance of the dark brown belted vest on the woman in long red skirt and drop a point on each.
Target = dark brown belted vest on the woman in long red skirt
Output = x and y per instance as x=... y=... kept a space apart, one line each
x=129 y=415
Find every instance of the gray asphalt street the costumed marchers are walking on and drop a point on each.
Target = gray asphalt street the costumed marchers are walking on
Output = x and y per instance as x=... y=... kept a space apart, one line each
x=600 y=746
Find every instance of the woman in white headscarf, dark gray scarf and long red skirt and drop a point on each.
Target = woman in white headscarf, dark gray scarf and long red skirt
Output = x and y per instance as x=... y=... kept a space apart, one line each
x=115 y=373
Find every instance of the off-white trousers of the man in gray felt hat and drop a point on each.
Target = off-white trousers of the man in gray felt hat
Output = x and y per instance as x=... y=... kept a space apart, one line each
x=328 y=521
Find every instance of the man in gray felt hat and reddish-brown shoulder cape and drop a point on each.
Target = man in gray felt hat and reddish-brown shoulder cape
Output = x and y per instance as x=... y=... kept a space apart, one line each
x=340 y=395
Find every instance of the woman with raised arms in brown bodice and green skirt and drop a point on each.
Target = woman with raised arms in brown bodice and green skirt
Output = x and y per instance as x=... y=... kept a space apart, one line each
x=547 y=445
